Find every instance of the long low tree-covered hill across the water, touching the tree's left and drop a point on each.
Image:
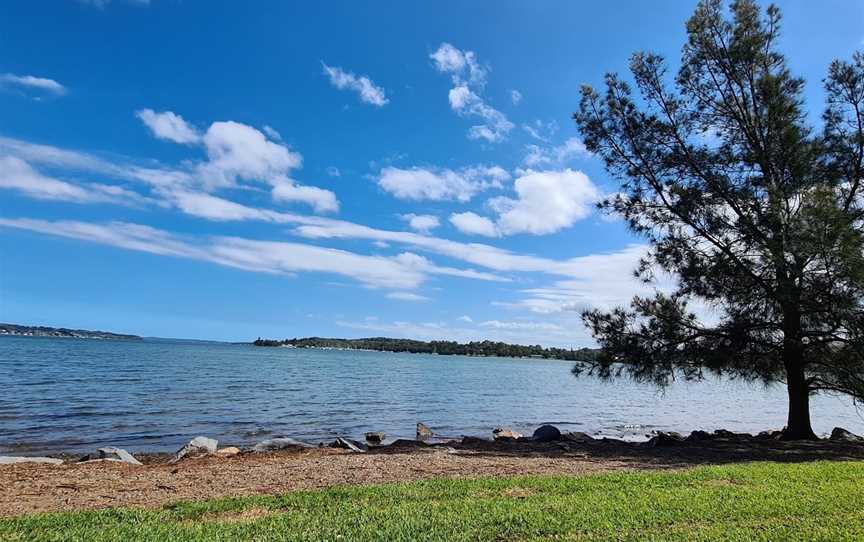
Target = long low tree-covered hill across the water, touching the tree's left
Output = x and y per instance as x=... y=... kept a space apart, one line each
x=476 y=348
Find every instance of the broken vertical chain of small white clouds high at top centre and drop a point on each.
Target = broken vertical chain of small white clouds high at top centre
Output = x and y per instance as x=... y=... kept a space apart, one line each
x=468 y=78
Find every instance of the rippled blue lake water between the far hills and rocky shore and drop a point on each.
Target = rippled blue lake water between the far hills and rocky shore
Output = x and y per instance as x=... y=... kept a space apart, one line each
x=74 y=395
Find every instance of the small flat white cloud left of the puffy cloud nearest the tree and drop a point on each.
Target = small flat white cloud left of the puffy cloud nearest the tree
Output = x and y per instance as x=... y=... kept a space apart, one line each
x=444 y=184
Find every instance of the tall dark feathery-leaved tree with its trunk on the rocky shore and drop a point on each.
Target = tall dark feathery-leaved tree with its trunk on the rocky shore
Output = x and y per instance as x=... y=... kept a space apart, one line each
x=754 y=211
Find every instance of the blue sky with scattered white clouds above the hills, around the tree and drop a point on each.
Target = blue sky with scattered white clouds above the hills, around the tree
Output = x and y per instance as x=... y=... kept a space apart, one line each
x=228 y=170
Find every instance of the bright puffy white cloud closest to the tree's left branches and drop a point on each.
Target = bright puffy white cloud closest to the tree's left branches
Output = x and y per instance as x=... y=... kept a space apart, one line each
x=546 y=202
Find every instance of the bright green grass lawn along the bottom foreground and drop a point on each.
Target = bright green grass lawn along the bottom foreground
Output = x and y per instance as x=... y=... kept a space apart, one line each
x=758 y=501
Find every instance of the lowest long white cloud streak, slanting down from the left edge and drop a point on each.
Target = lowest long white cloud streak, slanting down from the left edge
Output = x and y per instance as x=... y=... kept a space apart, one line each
x=403 y=272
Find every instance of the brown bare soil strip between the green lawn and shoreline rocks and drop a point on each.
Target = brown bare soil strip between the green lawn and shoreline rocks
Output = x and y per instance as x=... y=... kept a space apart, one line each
x=29 y=488
